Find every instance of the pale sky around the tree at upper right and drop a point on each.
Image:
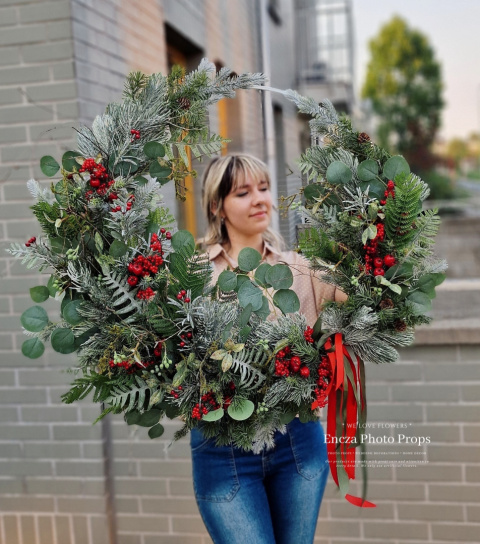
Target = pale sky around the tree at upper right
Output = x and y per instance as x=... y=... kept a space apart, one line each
x=452 y=27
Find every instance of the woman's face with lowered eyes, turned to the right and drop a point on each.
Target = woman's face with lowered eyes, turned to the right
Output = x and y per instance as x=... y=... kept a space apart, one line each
x=247 y=209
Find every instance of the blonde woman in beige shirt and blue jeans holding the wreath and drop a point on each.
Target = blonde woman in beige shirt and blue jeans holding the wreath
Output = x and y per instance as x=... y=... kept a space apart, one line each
x=273 y=497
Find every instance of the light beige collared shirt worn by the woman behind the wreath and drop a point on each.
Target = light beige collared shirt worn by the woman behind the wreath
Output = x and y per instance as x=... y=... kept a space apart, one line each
x=307 y=283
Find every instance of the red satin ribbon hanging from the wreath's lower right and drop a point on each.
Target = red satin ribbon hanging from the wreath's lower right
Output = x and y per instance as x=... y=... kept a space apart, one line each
x=337 y=353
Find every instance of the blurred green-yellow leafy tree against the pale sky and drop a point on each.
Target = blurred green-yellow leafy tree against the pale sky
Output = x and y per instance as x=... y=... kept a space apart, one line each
x=404 y=84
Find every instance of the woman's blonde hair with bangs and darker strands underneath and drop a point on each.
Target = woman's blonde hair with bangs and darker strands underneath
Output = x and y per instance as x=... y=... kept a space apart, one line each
x=222 y=176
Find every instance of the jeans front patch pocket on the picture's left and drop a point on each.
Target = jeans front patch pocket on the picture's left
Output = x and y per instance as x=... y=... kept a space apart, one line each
x=215 y=476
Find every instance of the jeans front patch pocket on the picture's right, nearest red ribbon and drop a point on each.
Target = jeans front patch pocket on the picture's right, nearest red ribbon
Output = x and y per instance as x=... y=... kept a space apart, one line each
x=308 y=448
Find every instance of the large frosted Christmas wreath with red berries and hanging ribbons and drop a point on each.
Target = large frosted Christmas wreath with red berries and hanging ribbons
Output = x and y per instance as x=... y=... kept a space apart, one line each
x=154 y=338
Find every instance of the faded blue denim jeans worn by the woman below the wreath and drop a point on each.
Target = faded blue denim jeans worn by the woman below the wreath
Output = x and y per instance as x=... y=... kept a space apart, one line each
x=268 y=498
